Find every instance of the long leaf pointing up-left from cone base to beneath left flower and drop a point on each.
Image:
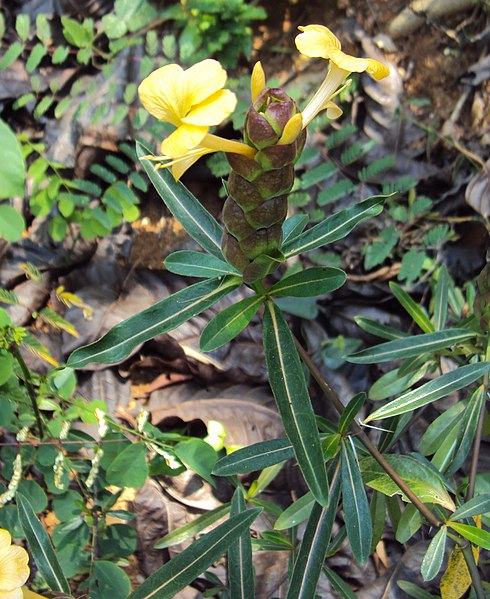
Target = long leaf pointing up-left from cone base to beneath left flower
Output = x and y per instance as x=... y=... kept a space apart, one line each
x=187 y=209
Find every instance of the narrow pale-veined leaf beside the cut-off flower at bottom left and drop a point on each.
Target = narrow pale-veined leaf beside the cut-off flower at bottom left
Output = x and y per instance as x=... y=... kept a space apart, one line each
x=41 y=547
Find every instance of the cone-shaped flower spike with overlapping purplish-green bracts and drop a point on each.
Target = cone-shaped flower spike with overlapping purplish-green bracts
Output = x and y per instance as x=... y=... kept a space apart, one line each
x=257 y=203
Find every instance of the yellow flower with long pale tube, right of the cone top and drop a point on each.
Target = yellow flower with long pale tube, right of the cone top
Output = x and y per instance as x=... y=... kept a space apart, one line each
x=317 y=41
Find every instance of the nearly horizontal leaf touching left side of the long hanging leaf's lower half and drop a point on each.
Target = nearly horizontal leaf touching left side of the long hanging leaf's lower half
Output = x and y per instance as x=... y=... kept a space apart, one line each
x=254 y=457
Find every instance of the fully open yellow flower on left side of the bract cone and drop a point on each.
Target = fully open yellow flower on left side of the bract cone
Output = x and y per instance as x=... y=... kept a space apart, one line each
x=193 y=100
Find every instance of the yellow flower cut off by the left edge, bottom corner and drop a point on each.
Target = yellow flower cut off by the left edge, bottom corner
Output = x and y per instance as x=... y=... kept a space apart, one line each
x=14 y=570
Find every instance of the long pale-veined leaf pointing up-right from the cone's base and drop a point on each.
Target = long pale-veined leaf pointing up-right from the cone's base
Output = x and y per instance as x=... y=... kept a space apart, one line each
x=334 y=227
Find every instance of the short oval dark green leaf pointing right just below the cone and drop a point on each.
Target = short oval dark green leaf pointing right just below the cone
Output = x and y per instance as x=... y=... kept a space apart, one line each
x=309 y=283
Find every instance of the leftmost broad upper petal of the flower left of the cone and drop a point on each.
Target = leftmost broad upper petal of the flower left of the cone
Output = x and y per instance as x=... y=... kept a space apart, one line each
x=163 y=95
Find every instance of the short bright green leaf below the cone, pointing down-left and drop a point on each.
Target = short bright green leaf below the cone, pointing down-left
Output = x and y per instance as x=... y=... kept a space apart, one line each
x=226 y=325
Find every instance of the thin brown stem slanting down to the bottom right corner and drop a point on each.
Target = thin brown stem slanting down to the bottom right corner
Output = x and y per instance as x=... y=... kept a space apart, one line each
x=373 y=450
